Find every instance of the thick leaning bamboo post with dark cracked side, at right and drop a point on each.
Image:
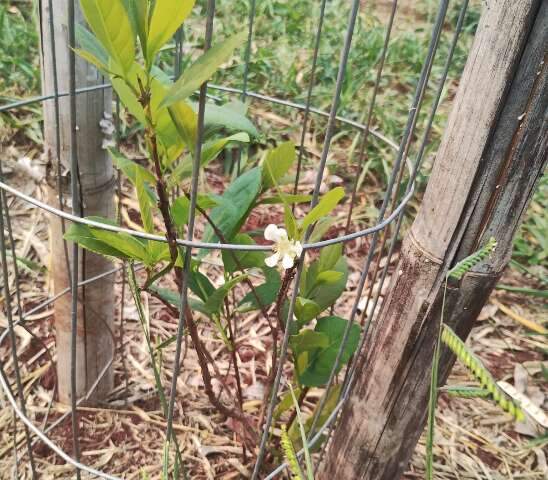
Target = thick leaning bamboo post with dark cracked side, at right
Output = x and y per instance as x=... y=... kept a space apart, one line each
x=493 y=151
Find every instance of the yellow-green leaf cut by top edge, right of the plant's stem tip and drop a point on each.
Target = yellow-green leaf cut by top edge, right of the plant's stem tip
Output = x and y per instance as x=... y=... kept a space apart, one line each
x=167 y=17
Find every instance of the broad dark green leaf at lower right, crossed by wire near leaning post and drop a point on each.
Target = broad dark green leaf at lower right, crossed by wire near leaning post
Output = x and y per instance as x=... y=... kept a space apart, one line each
x=321 y=360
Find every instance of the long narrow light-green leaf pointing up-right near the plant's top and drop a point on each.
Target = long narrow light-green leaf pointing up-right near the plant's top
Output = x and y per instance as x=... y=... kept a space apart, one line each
x=203 y=68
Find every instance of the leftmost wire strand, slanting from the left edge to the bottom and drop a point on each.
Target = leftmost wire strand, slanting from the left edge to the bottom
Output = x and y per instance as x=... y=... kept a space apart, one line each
x=13 y=339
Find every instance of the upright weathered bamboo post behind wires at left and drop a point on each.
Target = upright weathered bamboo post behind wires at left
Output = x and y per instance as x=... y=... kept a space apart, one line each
x=95 y=341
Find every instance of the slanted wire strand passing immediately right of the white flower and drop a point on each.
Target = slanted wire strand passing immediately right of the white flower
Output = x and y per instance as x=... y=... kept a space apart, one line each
x=315 y=196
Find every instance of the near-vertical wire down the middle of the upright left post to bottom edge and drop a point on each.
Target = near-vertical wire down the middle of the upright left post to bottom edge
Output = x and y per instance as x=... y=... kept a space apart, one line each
x=76 y=210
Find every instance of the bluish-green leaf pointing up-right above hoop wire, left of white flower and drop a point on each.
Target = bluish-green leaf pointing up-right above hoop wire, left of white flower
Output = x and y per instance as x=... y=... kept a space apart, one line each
x=235 y=204
